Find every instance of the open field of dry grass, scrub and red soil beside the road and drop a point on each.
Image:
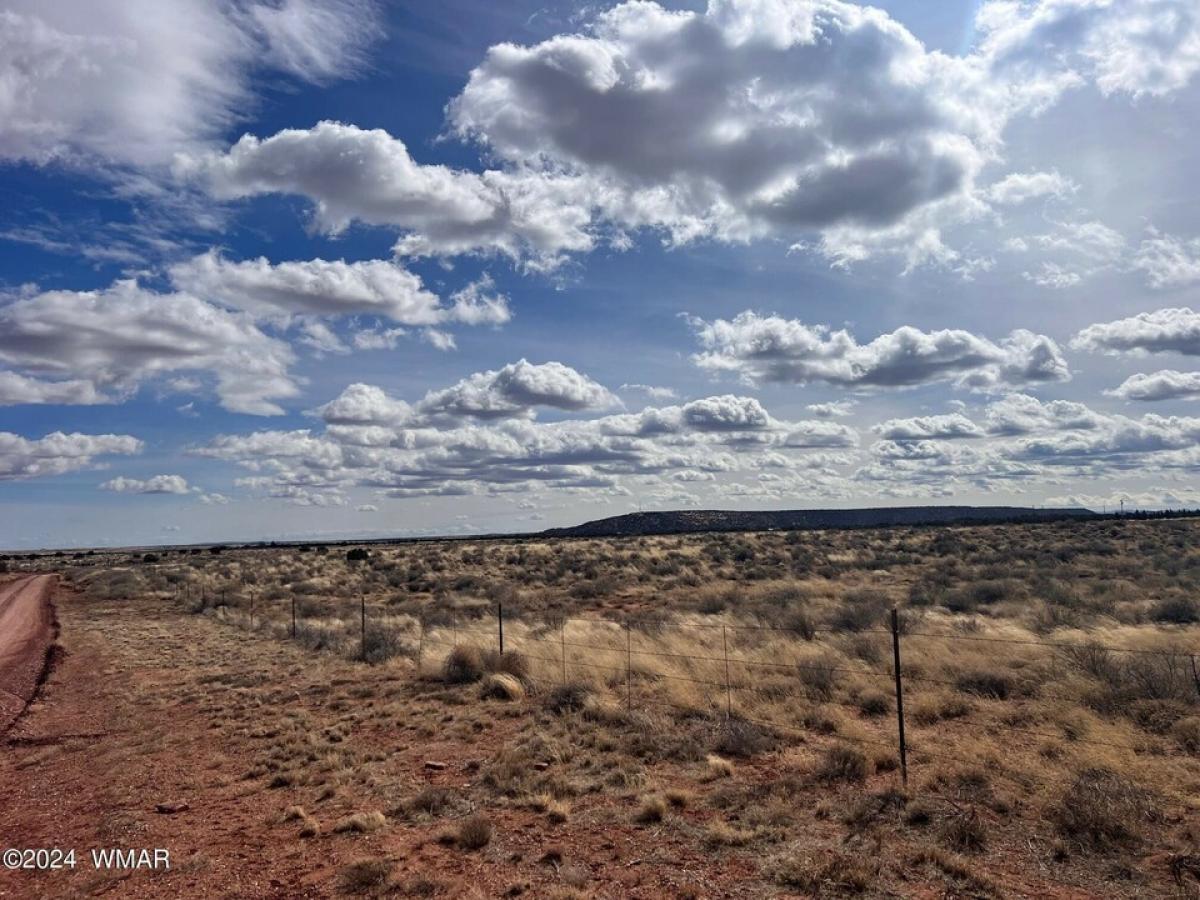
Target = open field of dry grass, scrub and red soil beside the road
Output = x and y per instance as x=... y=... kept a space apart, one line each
x=705 y=716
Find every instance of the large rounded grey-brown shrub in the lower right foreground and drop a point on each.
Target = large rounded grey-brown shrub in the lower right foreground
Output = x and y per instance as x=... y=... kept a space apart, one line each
x=1103 y=809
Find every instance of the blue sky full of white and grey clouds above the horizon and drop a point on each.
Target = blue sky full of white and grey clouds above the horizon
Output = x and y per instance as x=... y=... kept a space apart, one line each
x=295 y=269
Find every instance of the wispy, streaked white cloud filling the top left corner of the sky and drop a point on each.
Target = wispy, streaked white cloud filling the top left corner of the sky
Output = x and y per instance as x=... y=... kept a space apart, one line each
x=110 y=83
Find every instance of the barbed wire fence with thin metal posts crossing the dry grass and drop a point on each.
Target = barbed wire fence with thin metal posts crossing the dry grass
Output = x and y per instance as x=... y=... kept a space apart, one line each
x=735 y=677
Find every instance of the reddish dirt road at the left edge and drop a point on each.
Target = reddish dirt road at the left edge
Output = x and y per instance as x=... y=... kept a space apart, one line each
x=27 y=632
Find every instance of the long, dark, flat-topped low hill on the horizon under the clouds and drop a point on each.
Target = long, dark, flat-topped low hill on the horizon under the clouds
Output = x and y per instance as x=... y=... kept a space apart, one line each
x=686 y=521
